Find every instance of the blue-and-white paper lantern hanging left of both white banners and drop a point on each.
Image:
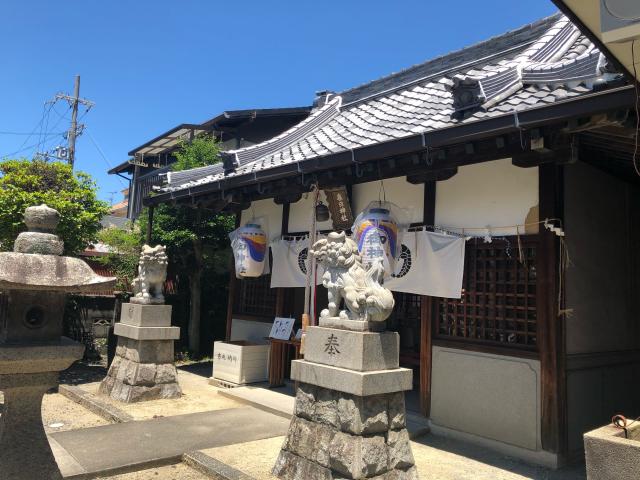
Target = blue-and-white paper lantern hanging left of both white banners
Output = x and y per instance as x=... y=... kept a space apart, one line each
x=249 y=250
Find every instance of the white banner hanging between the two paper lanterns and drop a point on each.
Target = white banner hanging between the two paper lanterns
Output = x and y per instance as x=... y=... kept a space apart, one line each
x=290 y=264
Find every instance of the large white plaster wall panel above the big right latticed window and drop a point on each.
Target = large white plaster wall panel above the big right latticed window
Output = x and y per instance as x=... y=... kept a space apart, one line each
x=491 y=193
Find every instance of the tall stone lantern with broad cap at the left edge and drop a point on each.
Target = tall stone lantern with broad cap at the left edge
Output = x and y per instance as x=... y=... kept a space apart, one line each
x=34 y=280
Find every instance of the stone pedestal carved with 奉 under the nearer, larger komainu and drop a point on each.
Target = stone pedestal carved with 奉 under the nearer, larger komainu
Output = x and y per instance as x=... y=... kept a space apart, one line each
x=349 y=420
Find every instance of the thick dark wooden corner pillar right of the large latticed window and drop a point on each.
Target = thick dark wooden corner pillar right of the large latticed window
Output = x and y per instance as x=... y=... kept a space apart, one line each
x=551 y=332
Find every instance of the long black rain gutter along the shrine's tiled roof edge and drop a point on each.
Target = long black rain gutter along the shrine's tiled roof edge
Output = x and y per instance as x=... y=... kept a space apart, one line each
x=621 y=97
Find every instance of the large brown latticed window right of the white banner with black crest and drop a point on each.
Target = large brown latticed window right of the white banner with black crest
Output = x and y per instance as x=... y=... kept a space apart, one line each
x=498 y=304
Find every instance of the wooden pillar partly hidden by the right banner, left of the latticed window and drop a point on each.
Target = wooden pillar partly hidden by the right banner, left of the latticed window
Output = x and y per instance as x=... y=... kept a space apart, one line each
x=426 y=312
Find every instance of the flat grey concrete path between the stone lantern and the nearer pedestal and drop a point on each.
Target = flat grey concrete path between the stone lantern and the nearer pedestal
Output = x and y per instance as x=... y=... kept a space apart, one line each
x=120 y=447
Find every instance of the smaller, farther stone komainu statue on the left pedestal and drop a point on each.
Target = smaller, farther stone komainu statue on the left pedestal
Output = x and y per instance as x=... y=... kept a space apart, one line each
x=152 y=272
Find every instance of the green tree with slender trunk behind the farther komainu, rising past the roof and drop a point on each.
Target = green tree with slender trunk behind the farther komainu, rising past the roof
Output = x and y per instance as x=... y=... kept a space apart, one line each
x=196 y=239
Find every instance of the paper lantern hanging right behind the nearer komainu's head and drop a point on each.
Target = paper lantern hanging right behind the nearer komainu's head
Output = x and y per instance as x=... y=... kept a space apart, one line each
x=377 y=237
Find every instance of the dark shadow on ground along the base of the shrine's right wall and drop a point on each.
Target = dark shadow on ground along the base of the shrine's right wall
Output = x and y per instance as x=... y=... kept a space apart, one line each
x=481 y=455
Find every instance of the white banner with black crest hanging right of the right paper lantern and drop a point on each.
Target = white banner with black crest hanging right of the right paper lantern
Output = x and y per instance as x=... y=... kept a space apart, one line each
x=429 y=264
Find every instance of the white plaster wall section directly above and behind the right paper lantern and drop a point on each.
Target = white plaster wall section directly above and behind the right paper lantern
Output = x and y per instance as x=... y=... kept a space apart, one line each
x=404 y=194
